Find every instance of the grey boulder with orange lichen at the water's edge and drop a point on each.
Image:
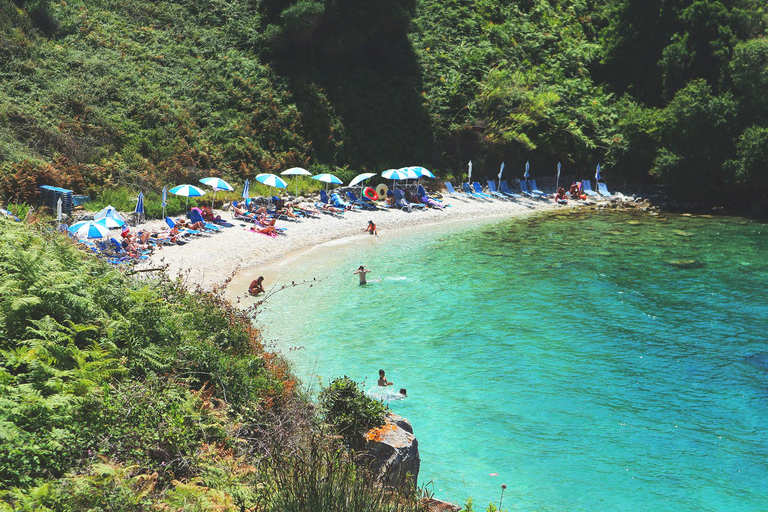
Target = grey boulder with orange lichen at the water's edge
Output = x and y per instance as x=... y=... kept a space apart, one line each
x=394 y=452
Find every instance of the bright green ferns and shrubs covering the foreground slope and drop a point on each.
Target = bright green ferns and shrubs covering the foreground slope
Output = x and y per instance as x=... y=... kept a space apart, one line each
x=118 y=393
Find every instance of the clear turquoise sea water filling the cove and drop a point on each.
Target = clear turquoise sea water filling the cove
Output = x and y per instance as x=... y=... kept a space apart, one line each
x=575 y=355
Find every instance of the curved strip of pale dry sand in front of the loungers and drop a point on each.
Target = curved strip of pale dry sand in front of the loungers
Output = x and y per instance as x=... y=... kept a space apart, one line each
x=212 y=260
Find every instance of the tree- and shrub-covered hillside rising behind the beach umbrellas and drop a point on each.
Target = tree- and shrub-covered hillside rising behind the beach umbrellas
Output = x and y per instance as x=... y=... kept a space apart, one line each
x=96 y=93
